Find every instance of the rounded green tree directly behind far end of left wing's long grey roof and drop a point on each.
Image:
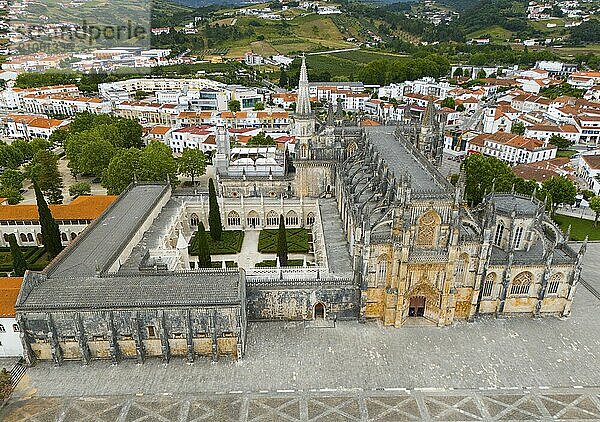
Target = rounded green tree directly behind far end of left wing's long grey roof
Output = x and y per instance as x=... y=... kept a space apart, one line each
x=157 y=164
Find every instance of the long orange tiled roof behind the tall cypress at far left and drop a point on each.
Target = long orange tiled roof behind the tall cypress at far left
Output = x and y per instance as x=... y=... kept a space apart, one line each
x=82 y=208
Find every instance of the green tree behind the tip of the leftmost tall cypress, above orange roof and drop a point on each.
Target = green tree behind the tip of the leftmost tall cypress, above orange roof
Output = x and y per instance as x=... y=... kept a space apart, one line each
x=44 y=170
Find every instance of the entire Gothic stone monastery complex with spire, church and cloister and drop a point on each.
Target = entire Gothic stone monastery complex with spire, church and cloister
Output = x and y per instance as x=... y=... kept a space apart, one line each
x=391 y=240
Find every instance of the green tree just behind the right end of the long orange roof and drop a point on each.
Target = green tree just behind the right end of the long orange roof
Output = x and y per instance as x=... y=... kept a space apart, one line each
x=124 y=166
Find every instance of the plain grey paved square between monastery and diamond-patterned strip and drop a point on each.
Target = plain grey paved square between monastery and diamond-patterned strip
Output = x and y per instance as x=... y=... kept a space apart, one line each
x=517 y=352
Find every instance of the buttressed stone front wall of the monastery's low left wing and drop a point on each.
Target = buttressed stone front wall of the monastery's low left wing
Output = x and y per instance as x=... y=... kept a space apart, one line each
x=135 y=334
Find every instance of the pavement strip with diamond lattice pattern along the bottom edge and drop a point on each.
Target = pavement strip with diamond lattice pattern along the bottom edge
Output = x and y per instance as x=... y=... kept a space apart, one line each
x=356 y=405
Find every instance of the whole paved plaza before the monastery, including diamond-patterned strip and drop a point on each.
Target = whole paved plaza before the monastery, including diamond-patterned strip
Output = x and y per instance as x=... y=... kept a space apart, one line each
x=493 y=369
